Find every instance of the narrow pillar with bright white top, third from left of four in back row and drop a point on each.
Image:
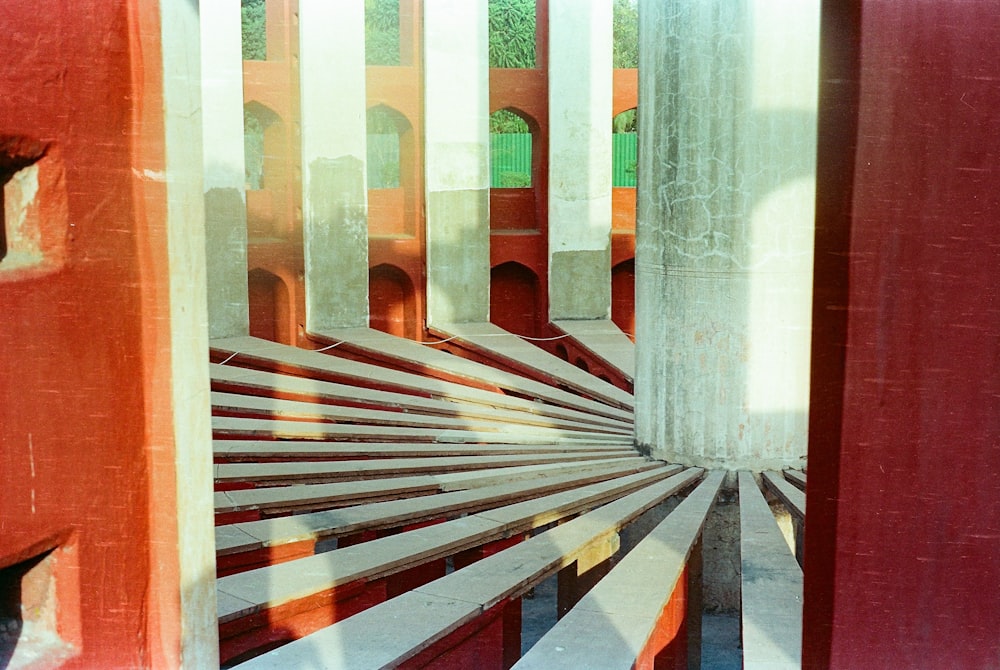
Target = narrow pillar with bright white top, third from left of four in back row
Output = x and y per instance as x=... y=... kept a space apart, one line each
x=456 y=129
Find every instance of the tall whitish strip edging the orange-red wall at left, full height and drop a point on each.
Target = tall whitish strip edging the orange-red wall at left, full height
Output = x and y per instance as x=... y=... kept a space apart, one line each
x=188 y=330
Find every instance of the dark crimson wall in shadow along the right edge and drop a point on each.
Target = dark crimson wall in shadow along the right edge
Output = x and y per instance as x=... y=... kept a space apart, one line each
x=902 y=562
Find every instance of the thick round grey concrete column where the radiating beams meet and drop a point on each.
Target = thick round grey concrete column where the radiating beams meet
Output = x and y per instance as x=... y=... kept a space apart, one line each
x=727 y=124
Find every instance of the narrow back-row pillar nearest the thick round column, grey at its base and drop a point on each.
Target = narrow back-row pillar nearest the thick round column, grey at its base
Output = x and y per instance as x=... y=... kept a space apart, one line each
x=580 y=105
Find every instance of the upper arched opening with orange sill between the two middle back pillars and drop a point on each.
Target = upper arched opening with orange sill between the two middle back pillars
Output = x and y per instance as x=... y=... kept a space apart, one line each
x=391 y=172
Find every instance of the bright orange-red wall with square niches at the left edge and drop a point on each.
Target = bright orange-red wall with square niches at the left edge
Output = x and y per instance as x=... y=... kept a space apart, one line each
x=79 y=345
